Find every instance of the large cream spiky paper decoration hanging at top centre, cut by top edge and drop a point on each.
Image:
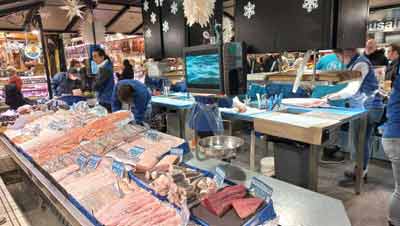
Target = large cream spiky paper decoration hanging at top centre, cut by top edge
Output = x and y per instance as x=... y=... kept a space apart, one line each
x=198 y=11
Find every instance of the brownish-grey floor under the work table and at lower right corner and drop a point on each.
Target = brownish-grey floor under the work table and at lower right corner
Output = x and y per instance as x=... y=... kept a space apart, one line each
x=368 y=209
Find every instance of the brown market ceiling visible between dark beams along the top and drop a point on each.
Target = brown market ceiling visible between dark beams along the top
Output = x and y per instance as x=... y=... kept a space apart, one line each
x=118 y=16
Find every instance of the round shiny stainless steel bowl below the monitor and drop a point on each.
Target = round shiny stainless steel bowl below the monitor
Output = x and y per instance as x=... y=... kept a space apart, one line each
x=219 y=146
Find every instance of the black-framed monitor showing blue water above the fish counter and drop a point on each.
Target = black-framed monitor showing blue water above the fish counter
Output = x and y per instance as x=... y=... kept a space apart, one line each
x=203 y=69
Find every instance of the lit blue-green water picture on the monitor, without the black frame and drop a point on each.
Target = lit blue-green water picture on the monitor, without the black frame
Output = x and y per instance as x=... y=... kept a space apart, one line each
x=203 y=70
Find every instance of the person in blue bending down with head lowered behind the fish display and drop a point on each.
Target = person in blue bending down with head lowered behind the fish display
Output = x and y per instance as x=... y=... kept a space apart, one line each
x=135 y=94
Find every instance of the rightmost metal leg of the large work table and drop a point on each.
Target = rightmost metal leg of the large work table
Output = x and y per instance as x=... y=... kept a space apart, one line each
x=360 y=154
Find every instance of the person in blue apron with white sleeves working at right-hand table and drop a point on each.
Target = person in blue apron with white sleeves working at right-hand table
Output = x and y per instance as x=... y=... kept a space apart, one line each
x=361 y=94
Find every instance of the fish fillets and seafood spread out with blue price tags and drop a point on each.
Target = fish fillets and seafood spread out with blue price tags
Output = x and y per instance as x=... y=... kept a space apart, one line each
x=123 y=174
